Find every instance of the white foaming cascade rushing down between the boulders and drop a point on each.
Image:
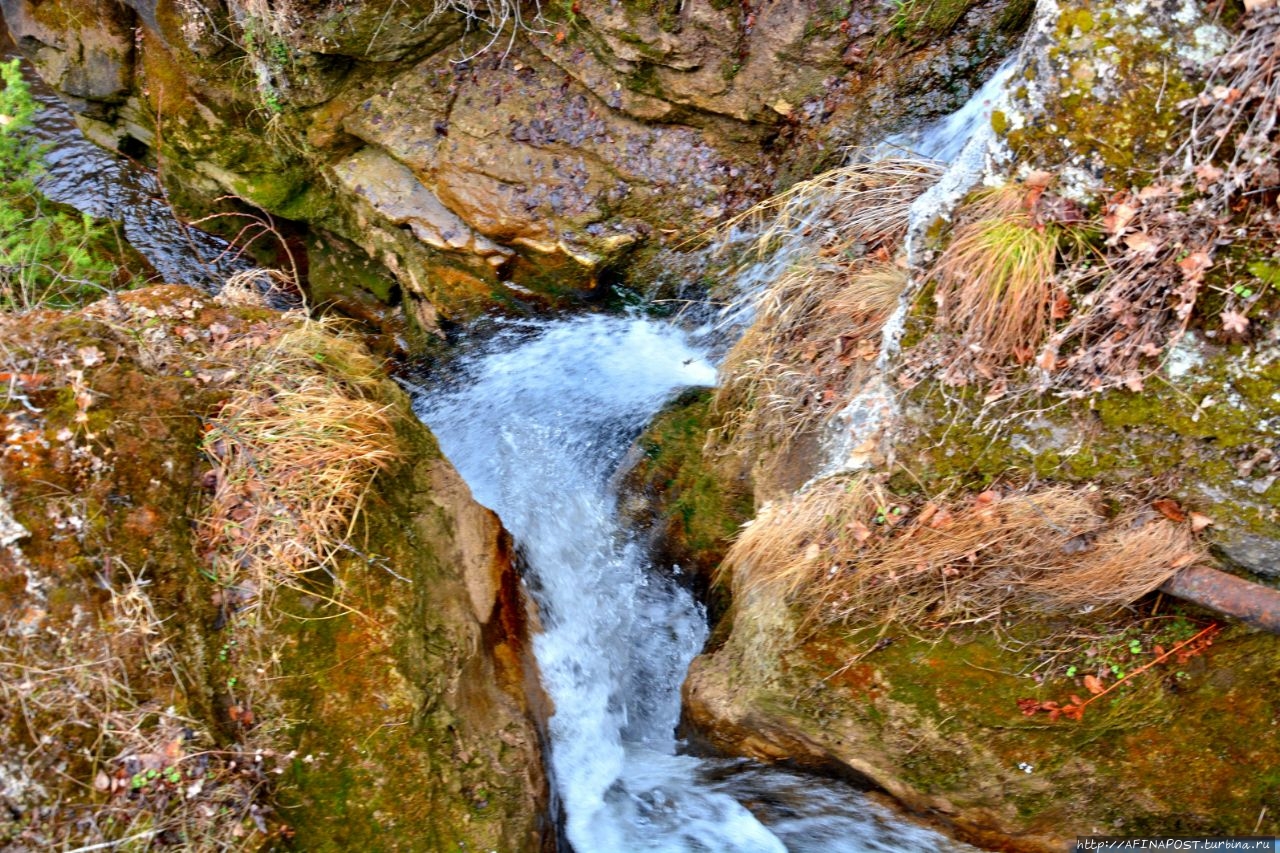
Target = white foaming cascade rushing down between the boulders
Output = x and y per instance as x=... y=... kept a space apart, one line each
x=538 y=421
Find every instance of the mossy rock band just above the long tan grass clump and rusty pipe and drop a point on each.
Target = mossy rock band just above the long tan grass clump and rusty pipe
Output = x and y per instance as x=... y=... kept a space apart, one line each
x=1201 y=435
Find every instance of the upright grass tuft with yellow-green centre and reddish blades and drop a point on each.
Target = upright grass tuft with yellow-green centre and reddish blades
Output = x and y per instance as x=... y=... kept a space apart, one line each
x=995 y=282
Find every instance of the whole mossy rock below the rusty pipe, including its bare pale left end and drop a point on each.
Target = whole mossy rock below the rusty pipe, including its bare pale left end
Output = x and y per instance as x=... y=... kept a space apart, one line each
x=935 y=720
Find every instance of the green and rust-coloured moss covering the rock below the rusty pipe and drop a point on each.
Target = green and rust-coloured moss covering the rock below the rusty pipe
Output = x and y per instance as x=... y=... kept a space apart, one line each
x=940 y=715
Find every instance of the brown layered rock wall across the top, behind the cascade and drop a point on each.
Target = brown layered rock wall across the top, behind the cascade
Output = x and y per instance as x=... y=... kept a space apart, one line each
x=481 y=165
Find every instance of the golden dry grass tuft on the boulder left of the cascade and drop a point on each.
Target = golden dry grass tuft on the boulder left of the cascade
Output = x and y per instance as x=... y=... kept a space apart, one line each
x=295 y=451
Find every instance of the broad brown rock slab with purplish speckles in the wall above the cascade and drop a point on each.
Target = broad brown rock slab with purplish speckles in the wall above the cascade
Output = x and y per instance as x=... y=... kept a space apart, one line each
x=527 y=157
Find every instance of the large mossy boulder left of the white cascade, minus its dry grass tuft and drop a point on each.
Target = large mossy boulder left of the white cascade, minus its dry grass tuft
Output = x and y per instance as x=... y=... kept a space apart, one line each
x=383 y=701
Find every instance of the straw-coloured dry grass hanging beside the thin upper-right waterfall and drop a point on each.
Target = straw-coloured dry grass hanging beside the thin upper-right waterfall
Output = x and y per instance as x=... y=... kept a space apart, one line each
x=817 y=326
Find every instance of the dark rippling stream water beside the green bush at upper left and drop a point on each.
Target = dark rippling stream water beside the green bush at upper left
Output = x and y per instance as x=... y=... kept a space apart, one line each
x=107 y=186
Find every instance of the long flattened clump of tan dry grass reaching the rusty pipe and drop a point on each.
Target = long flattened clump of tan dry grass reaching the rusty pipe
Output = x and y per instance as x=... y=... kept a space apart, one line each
x=847 y=551
